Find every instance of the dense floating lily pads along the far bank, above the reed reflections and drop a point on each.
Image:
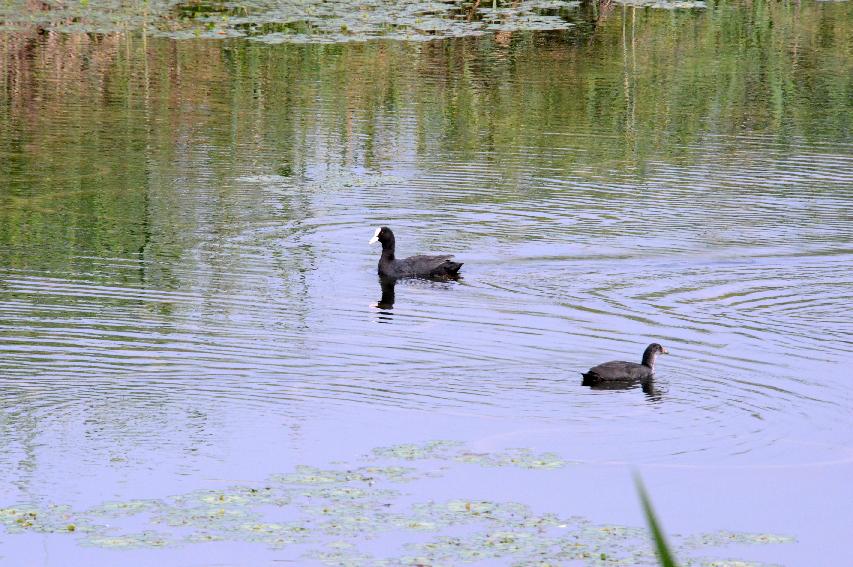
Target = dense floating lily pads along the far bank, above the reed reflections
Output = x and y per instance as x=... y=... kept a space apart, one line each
x=293 y=21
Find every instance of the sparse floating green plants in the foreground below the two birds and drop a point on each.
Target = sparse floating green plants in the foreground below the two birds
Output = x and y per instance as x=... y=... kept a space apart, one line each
x=329 y=511
